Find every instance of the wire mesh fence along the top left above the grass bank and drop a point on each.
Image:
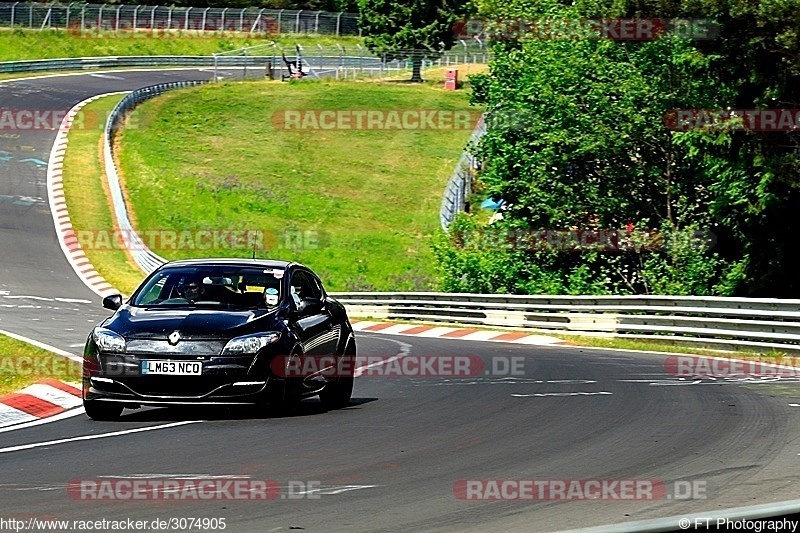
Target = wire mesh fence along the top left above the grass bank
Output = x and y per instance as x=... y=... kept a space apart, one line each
x=142 y=20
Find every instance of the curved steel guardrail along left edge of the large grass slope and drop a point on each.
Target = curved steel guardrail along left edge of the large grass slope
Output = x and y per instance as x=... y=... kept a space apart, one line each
x=144 y=257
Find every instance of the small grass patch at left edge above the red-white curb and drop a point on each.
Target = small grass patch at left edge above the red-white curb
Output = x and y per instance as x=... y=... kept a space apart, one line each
x=22 y=364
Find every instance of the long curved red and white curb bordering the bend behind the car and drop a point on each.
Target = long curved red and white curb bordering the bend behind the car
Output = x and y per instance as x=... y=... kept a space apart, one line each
x=58 y=207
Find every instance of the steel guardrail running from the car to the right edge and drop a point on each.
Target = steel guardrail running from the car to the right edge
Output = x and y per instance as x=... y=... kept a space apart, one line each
x=725 y=323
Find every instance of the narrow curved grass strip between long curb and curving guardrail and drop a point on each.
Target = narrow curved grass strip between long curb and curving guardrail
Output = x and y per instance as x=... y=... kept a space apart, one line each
x=88 y=200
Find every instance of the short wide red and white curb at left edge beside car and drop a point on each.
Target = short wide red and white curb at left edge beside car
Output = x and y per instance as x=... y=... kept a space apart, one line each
x=46 y=398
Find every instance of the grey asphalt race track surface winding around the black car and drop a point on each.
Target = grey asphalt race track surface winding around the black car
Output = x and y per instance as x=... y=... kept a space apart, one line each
x=390 y=460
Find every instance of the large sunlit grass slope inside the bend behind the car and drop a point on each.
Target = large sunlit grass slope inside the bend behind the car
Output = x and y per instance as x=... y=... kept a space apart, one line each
x=358 y=206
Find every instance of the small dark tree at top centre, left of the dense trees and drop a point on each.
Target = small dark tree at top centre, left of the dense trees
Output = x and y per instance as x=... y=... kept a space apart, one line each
x=413 y=29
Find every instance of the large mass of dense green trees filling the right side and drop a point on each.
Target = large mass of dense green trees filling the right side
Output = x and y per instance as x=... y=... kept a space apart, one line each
x=577 y=139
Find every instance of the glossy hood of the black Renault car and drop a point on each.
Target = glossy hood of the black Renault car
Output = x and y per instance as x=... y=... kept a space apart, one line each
x=149 y=323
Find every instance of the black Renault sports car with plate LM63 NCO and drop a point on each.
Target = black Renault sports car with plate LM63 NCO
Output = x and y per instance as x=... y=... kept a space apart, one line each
x=220 y=331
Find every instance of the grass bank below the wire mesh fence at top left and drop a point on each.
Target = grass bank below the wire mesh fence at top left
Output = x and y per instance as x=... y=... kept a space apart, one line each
x=21 y=44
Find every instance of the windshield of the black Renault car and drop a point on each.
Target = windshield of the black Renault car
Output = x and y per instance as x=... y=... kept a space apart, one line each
x=225 y=287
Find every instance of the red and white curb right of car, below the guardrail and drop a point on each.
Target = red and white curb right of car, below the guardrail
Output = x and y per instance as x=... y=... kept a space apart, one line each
x=468 y=334
